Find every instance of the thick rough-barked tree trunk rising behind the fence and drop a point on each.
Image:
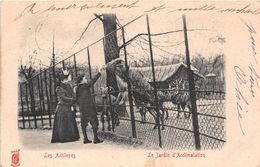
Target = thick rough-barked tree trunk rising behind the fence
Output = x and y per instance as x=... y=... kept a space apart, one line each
x=111 y=49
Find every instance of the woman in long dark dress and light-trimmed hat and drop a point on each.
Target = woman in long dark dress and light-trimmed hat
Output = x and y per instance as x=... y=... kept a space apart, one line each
x=65 y=127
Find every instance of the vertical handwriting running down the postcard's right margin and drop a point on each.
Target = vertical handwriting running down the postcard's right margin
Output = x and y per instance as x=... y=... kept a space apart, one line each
x=247 y=79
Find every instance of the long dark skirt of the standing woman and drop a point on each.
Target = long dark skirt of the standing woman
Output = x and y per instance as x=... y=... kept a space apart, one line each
x=64 y=127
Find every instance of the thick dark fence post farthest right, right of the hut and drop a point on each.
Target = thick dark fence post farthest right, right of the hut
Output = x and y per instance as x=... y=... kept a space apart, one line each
x=192 y=90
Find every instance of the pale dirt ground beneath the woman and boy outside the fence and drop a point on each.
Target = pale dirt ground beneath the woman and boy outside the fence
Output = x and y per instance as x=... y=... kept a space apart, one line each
x=39 y=139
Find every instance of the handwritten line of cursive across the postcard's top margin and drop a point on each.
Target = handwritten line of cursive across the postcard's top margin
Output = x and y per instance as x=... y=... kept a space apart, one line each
x=34 y=8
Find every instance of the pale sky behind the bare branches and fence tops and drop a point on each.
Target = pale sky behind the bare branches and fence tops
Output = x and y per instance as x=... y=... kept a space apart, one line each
x=39 y=32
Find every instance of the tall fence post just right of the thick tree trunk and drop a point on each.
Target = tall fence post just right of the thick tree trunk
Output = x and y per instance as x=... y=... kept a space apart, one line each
x=129 y=88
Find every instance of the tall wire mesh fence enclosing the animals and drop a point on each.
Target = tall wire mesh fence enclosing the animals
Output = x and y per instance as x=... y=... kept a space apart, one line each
x=145 y=93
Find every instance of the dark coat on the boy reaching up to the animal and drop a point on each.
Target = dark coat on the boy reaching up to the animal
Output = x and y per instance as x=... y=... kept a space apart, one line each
x=85 y=100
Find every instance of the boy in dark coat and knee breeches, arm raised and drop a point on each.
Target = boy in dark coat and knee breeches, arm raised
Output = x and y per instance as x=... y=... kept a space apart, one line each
x=88 y=113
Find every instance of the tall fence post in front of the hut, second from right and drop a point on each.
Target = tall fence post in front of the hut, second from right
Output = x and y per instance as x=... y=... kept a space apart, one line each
x=154 y=81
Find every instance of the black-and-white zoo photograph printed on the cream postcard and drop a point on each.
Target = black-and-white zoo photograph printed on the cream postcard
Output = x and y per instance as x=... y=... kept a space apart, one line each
x=147 y=90
